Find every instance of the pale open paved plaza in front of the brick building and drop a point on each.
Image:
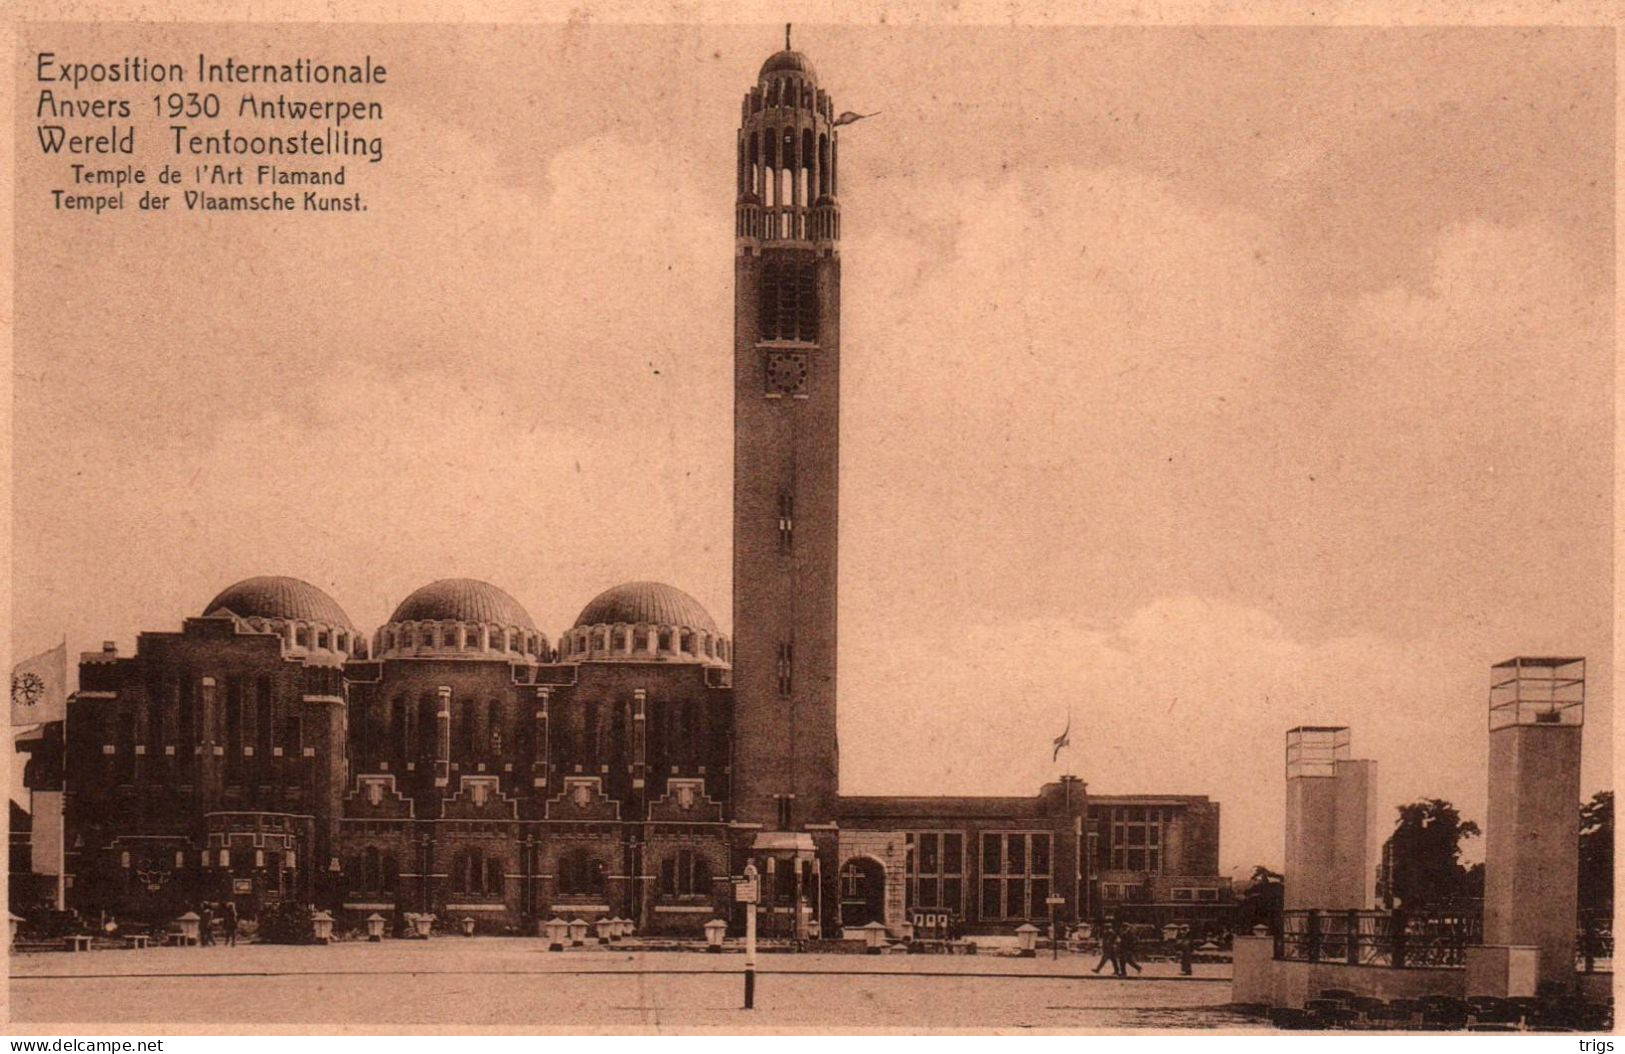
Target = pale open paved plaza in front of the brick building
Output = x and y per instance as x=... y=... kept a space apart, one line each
x=518 y=983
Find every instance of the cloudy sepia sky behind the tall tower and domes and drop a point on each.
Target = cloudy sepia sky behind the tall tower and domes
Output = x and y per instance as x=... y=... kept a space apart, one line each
x=1198 y=382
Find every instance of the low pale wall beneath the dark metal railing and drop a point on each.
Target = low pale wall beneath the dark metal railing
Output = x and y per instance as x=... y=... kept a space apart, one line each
x=1260 y=977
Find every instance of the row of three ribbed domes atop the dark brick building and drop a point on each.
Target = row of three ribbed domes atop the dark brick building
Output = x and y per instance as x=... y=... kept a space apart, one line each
x=464 y=618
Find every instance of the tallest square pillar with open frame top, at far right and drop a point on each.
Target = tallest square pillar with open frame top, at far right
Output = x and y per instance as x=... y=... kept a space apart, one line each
x=1532 y=855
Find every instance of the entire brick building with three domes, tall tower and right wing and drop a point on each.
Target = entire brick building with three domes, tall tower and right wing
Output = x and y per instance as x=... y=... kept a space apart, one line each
x=462 y=762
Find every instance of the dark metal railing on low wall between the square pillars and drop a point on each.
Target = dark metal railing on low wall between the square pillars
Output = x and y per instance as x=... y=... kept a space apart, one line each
x=1379 y=938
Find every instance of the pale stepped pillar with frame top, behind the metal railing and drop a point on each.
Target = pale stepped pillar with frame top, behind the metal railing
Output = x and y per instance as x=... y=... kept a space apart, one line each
x=1332 y=805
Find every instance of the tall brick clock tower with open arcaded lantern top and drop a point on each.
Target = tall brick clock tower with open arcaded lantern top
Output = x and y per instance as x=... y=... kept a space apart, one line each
x=787 y=423
